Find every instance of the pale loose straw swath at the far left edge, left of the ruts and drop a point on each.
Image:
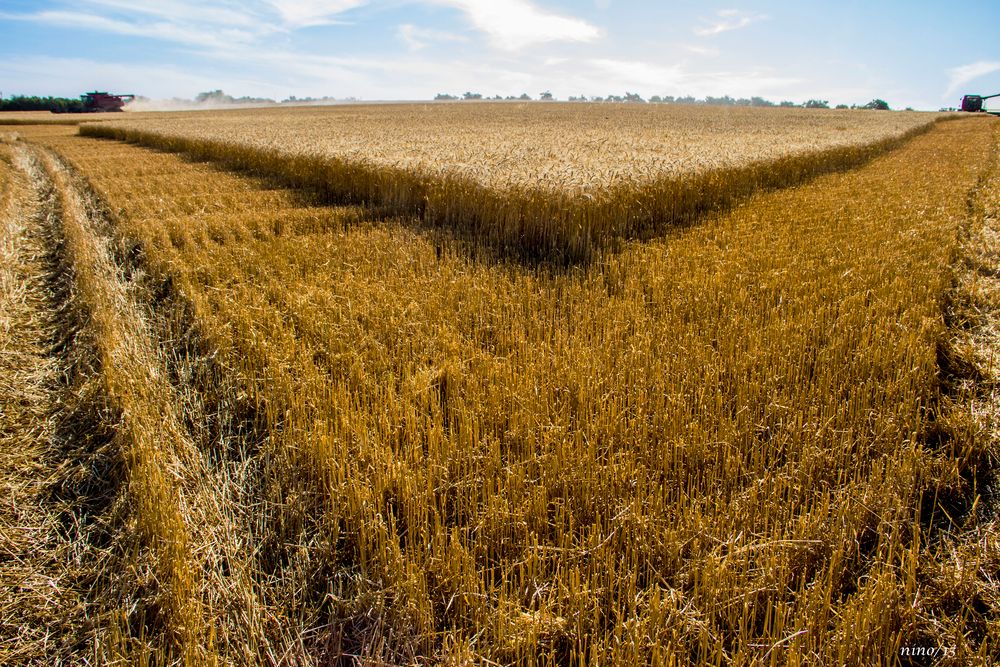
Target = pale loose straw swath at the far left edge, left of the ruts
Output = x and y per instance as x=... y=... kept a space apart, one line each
x=42 y=609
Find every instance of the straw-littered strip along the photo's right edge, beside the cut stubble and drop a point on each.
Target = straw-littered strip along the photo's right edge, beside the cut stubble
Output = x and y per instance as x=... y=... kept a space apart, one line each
x=961 y=569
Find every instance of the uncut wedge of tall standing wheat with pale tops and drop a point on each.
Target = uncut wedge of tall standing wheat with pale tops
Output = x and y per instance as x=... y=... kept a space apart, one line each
x=551 y=182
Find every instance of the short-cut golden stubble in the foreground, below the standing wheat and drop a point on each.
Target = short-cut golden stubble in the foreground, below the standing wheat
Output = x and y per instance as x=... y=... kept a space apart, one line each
x=732 y=445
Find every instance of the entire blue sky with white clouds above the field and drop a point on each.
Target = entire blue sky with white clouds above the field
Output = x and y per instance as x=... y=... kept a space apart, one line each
x=917 y=53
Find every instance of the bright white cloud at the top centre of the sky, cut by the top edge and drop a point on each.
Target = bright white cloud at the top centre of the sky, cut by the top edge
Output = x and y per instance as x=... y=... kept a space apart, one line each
x=515 y=24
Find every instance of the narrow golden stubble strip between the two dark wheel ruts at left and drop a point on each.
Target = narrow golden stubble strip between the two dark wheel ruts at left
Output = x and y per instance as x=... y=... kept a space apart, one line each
x=151 y=444
